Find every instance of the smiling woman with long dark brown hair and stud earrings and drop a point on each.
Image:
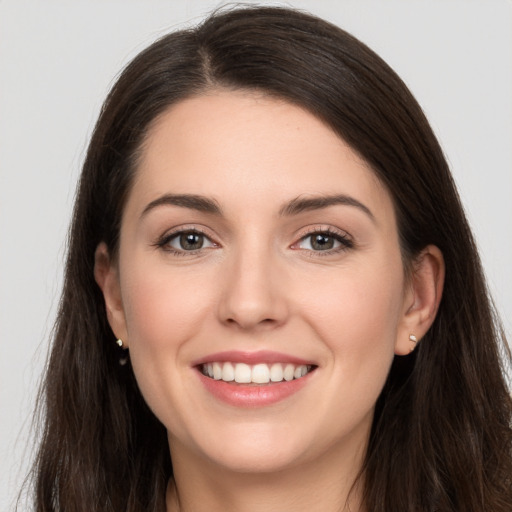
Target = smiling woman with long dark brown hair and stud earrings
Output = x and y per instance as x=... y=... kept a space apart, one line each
x=272 y=297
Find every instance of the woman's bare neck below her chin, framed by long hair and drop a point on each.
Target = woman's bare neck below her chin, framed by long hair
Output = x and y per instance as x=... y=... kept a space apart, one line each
x=327 y=484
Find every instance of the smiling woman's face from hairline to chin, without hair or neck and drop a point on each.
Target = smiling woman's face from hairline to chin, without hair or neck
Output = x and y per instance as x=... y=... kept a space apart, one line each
x=257 y=246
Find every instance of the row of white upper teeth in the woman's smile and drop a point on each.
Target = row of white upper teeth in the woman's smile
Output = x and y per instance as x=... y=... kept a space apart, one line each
x=258 y=374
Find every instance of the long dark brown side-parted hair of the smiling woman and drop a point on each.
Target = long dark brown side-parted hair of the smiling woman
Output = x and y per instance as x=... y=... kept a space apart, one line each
x=441 y=438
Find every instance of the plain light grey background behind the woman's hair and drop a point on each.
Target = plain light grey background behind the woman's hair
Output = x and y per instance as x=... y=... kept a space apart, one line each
x=57 y=62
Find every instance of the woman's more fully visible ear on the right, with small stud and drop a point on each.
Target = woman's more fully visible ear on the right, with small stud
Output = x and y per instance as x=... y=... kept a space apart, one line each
x=421 y=299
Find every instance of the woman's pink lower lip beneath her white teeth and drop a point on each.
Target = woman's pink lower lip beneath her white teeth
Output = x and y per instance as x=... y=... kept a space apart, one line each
x=254 y=395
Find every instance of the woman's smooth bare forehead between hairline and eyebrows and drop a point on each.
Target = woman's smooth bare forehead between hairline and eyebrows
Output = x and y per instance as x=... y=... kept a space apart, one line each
x=244 y=148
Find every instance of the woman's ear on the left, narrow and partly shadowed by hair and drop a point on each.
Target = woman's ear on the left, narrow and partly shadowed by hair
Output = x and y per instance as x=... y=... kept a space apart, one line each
x=107 y=276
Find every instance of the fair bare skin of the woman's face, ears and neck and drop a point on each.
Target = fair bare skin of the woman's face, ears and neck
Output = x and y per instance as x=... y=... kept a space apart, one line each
x=258 y=284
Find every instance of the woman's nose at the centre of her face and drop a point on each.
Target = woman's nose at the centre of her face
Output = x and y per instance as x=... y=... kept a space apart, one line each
x=253 y=295
